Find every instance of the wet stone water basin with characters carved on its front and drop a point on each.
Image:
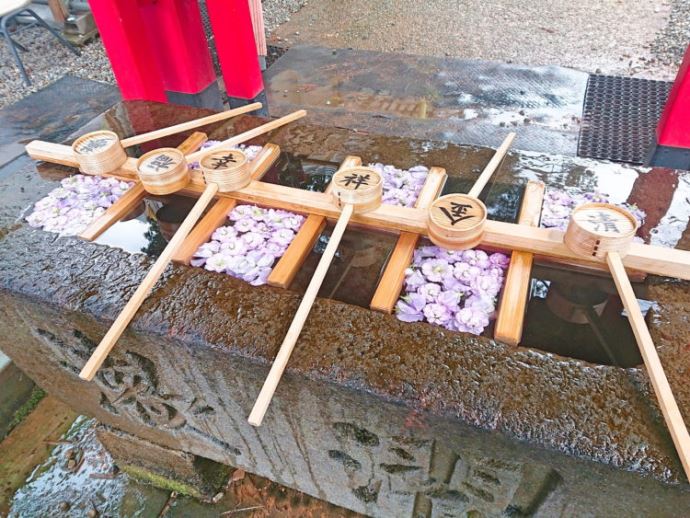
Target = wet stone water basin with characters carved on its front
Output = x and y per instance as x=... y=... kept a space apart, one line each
x=376 y=415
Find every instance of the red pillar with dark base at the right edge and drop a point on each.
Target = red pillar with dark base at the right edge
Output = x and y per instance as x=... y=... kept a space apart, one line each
x=673 y=131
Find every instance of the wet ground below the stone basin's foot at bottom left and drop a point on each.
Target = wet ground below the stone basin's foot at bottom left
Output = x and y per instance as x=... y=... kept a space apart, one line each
x=79 y=479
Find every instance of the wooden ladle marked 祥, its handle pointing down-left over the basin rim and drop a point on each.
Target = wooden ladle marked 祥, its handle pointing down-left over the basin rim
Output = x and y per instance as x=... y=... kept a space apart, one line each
x=355 y=189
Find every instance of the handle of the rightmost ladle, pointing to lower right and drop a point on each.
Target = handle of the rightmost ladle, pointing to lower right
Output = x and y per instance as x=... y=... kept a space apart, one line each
x=669 y=407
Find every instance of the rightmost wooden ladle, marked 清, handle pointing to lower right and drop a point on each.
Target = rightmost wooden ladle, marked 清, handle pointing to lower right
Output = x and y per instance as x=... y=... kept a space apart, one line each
x=604 y=231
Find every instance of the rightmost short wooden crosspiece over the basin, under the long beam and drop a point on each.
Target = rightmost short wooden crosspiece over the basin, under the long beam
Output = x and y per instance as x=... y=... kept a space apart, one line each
x=511 y=311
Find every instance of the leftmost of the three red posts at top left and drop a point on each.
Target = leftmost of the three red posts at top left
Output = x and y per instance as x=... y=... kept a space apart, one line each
x=126 y=41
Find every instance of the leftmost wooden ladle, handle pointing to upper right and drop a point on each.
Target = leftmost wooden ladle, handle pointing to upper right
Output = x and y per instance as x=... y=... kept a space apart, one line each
x=102 y=151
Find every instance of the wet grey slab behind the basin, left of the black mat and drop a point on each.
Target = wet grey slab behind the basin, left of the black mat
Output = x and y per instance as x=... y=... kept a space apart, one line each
x=443 y=99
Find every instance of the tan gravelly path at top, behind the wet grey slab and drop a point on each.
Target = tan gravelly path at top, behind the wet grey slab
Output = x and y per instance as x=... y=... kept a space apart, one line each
x=613 y=36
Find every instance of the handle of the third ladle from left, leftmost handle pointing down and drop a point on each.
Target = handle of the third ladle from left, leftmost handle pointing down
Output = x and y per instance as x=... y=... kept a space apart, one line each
x=122 y=321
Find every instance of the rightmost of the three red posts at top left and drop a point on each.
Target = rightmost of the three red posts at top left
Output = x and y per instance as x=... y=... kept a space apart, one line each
x=234 y=36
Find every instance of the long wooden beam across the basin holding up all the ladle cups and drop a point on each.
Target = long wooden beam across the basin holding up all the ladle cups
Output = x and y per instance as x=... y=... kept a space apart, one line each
x=547 y=243
